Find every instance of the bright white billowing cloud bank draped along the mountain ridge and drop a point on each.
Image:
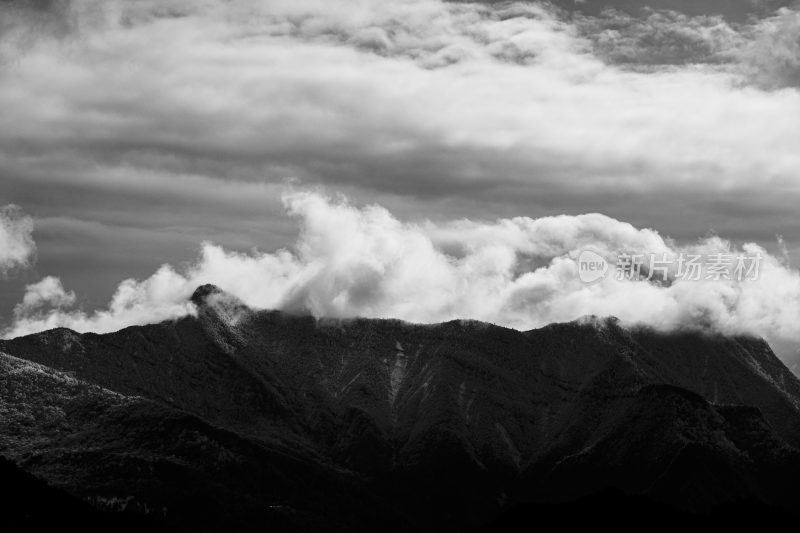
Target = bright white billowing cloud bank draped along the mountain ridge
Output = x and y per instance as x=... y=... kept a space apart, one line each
x=518 y=272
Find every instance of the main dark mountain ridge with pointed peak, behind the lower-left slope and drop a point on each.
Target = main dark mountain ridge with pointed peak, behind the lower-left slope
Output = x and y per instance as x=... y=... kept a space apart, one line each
x=472 y=415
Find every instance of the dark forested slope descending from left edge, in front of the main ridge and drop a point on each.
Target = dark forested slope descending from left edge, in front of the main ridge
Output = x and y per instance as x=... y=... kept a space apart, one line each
x=132 y=455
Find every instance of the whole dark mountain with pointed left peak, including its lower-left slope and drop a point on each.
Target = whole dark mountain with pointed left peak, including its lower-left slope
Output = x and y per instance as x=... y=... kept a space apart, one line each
x=265 y=419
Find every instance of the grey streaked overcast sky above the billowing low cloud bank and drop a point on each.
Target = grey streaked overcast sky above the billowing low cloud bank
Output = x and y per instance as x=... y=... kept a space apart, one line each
x=133 y=131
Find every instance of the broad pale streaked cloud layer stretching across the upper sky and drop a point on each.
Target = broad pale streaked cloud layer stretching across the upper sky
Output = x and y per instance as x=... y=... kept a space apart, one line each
x=508 y=103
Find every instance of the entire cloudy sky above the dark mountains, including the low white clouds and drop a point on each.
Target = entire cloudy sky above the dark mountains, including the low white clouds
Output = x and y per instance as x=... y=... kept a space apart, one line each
x=416 y=158
